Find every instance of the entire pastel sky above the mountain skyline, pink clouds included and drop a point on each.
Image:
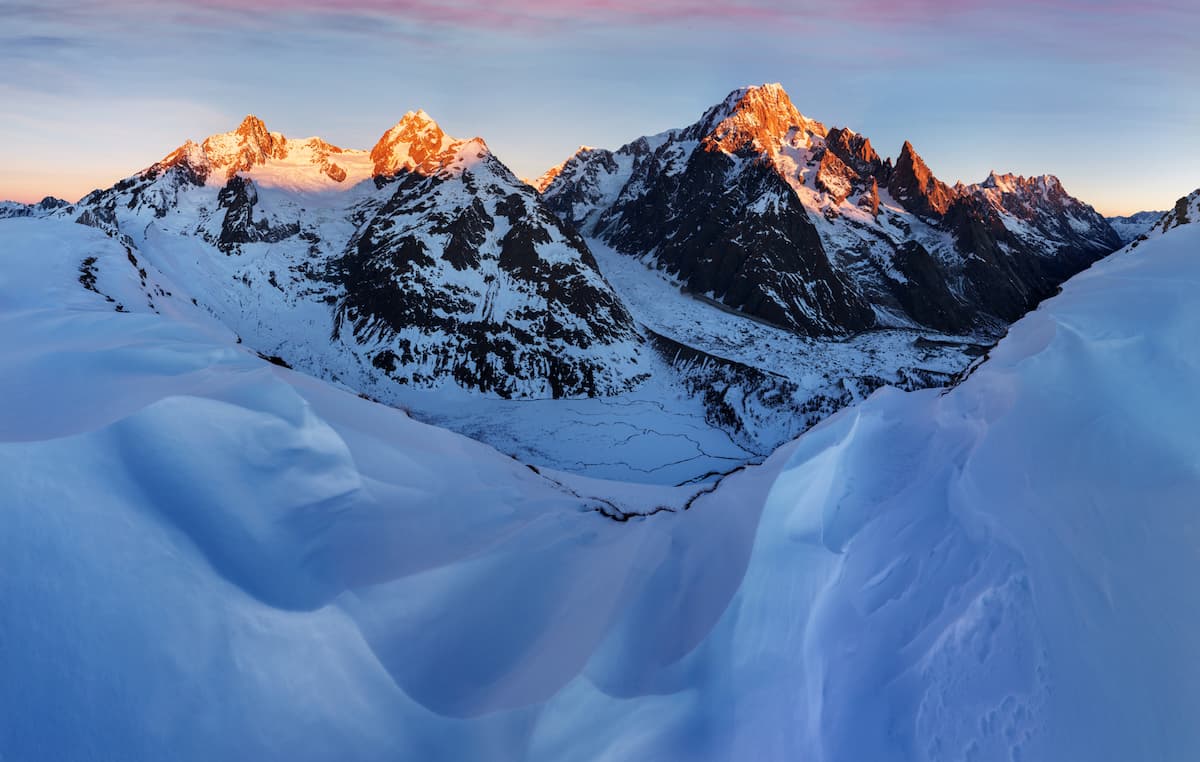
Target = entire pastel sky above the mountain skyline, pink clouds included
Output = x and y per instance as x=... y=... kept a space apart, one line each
x=1106 y=94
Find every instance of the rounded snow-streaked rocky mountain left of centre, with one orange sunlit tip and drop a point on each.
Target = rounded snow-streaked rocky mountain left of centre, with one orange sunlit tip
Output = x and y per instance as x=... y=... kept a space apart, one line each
x=465 y=273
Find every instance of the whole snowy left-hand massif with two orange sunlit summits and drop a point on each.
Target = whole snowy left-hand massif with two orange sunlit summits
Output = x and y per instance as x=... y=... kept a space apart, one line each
x=422 y=262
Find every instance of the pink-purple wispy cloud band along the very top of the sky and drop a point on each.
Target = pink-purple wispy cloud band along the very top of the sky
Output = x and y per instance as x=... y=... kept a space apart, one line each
x=1084 y=28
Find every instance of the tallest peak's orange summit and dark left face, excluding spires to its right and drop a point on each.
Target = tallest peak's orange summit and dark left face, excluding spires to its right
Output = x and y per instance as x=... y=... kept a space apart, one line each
x=718 y=217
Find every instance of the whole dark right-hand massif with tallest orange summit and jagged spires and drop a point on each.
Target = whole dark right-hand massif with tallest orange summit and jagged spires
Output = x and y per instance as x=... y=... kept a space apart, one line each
x=778 y=217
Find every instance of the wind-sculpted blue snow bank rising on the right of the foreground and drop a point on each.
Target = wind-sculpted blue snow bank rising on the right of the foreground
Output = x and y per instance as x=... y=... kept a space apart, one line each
x=1027 y=542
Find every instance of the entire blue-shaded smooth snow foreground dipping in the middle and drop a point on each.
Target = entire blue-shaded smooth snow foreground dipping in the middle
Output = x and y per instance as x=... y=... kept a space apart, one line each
x=209 y=557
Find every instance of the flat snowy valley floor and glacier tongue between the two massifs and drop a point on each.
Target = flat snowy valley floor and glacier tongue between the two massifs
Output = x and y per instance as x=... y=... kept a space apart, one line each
x=663 y=433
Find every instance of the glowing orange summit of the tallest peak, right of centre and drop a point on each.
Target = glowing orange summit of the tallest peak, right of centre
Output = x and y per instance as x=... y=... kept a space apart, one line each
x=758 y=118
